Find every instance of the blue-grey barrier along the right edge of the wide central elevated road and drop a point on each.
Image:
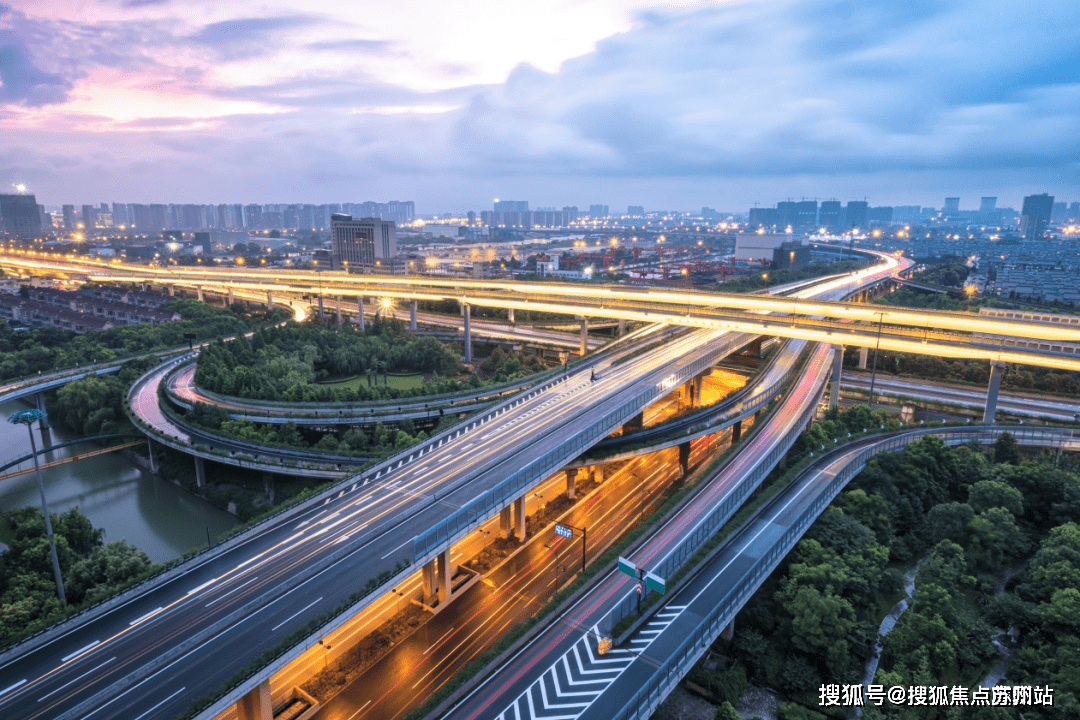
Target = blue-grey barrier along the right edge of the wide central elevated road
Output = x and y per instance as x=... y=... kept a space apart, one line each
x=480 y=509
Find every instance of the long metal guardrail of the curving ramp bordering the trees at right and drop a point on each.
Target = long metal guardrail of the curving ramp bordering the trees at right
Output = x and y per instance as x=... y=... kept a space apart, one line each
x=672 y=671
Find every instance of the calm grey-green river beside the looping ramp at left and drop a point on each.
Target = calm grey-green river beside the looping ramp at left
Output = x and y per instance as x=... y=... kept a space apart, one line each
x=158 y=518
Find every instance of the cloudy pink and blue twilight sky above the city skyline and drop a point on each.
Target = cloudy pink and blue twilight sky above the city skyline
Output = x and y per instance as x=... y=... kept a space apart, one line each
x=671 y=106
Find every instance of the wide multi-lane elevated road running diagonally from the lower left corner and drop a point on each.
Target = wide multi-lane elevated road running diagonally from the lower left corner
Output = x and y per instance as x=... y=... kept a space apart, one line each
x=146 y=654
